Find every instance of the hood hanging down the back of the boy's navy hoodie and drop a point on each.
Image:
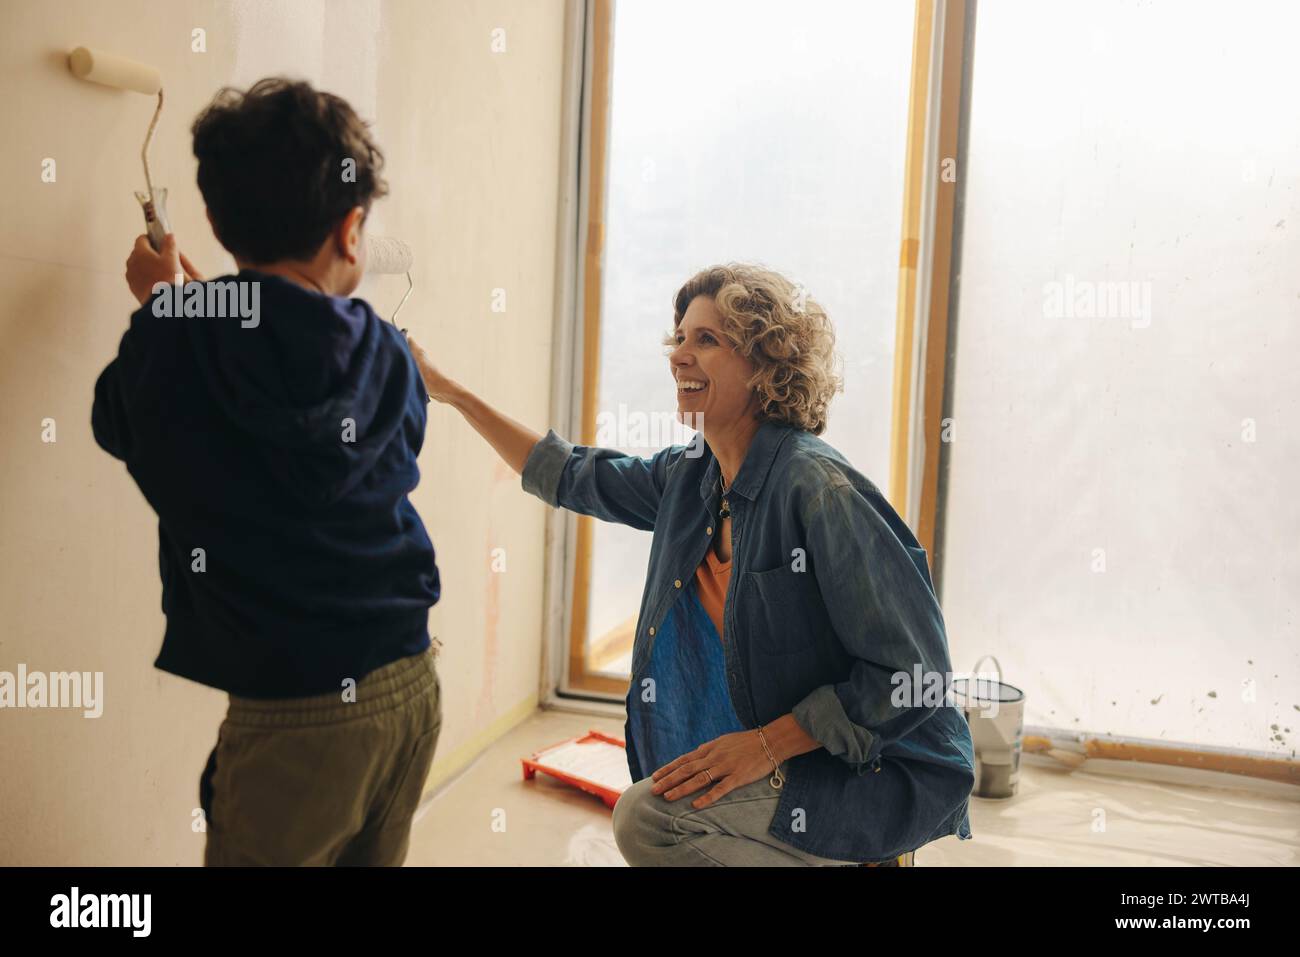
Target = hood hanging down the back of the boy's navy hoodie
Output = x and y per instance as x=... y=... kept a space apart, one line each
x=320 y=384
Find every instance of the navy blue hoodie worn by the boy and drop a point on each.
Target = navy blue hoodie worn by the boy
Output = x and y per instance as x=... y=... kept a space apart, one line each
x=285 y=452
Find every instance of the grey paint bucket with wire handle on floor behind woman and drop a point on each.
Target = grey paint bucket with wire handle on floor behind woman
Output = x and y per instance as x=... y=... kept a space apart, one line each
x=995 y=712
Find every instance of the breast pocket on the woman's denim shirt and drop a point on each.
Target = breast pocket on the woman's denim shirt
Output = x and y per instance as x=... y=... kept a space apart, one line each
x=781 y=610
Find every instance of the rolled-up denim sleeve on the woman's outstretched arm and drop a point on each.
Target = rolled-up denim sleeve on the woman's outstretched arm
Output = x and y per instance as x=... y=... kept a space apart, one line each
x=604 y=483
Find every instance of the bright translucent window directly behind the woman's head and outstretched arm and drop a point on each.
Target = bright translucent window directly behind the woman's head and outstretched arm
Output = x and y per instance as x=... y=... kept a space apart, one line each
x=738 y=131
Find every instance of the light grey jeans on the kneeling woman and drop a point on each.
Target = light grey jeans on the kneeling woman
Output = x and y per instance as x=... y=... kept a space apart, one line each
x=653 y=832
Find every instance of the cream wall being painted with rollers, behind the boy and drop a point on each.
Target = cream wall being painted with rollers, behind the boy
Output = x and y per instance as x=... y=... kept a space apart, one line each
x=473 y=145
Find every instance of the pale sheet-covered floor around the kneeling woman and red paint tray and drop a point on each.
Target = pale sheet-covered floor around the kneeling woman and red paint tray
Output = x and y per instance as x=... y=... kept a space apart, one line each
x=1104 y=815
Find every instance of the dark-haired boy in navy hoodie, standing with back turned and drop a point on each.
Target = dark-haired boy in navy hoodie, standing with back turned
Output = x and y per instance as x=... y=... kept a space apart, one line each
x=275 y=431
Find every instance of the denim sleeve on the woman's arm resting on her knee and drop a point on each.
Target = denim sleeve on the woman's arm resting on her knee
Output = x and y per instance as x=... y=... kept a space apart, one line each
x=881 y=601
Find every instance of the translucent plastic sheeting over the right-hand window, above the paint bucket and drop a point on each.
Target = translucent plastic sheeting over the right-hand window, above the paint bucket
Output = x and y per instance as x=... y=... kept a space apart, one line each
x=1123 y=525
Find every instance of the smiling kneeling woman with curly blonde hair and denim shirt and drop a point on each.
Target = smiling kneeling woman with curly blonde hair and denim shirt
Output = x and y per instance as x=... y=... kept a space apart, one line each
x=788 y=631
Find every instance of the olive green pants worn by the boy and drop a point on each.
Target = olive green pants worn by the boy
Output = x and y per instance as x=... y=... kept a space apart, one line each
x=324 y=781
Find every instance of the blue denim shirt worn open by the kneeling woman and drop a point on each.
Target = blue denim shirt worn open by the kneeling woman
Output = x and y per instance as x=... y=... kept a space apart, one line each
x=829 y=609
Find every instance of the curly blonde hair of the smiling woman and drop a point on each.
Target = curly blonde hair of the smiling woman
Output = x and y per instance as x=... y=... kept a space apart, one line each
x=778 y=327
